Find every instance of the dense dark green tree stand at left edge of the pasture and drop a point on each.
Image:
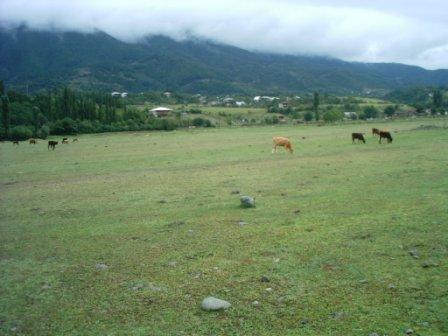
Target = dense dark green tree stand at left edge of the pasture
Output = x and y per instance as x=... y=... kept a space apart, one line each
x=65 y=111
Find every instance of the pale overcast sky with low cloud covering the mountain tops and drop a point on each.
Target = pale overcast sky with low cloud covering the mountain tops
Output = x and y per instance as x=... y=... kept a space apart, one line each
x=411 y=32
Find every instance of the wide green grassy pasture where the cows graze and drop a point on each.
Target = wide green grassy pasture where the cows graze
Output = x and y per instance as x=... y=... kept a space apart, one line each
x=125 y=234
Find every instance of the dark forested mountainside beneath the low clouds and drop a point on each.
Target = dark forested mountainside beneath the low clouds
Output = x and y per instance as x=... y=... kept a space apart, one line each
x=99 y=61
